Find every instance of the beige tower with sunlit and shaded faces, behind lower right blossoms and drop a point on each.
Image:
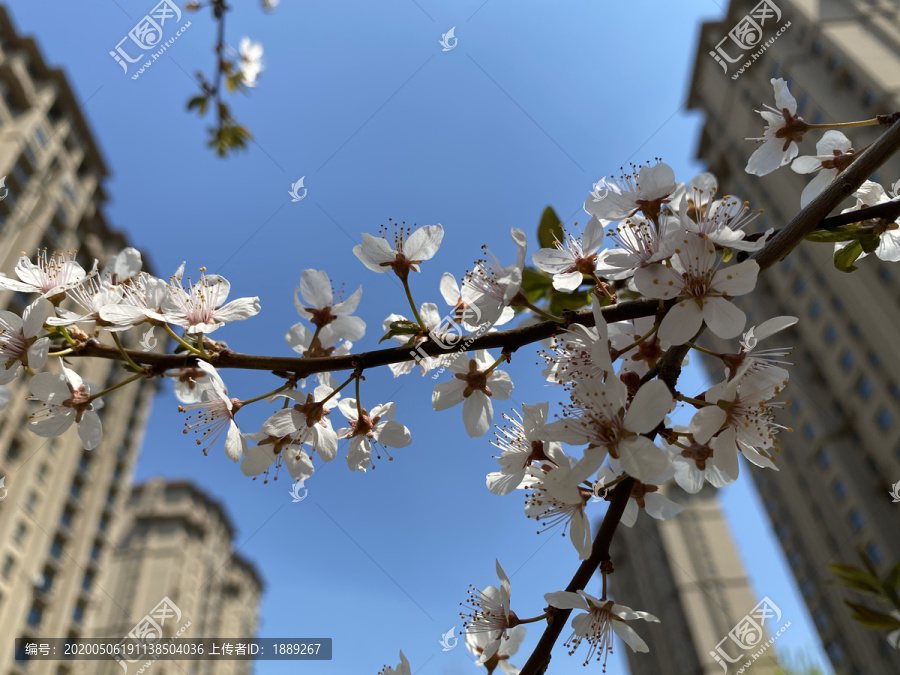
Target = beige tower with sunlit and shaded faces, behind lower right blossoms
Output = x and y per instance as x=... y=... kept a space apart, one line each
x=687 y=572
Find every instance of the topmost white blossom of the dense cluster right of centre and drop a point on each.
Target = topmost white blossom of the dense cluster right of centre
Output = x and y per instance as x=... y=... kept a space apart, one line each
x=646 y=190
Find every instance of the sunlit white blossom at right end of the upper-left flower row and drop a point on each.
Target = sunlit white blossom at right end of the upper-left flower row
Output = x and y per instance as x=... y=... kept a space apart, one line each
x=201 y=307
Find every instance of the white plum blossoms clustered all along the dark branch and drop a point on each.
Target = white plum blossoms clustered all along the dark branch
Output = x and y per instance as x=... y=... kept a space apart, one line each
x=619 y=429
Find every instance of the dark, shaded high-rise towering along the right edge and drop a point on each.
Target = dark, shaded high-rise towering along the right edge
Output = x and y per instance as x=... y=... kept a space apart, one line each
x=842 y=63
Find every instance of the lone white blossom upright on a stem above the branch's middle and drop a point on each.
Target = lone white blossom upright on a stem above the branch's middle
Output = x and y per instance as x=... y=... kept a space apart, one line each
x=410 y=248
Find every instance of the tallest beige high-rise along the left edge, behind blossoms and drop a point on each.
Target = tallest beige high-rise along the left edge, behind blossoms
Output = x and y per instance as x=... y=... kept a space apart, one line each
x=59 y=503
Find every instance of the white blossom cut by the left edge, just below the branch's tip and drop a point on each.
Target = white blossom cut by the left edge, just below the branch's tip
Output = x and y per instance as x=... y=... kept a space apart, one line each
x=19 y=344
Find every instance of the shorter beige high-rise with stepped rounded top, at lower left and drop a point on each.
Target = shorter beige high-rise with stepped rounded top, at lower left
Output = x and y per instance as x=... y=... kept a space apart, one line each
x=176 y=545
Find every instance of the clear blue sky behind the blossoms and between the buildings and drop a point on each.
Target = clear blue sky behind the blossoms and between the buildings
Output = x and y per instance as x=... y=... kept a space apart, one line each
x=531 y=107
